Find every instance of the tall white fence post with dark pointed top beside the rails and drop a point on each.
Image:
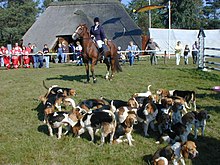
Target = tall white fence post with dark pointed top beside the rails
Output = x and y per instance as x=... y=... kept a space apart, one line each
x=201 y=37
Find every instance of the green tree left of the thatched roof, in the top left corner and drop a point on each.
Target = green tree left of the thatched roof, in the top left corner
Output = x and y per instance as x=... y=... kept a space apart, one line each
x=16 y=17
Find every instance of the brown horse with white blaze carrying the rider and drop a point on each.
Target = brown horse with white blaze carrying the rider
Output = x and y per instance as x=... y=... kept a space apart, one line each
x=91 y=53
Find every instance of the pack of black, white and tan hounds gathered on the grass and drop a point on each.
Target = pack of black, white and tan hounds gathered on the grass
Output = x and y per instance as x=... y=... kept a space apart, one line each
x=172 y=113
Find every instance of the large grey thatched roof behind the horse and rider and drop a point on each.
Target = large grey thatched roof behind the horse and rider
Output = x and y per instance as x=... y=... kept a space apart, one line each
x=62 y=18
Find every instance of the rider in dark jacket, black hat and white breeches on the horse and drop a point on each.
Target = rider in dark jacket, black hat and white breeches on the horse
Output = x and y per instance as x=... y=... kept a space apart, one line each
x=98 y=34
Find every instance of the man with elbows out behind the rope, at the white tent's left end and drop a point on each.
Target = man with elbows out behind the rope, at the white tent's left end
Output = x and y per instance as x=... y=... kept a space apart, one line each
x=151 y=47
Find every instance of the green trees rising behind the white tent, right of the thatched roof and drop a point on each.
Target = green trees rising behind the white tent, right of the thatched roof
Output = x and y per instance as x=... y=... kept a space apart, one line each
x=185 y=14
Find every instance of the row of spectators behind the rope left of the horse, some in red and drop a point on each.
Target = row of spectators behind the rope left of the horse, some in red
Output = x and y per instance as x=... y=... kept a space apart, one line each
x=21 y=56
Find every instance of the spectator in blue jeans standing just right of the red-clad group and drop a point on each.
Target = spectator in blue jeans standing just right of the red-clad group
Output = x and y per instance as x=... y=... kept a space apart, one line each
x=37 y=57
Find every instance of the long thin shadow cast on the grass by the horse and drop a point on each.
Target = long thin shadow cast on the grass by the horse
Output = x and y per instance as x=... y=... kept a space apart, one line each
x=79 y=78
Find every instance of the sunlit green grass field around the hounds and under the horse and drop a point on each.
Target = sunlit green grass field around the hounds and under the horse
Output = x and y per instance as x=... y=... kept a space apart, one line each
x=24 y=138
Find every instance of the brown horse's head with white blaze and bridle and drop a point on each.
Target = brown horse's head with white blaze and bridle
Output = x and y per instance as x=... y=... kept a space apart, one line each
x=80 y=32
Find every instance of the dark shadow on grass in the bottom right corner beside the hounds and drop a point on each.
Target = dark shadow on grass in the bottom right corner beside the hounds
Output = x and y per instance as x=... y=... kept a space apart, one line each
x=208 y=148
